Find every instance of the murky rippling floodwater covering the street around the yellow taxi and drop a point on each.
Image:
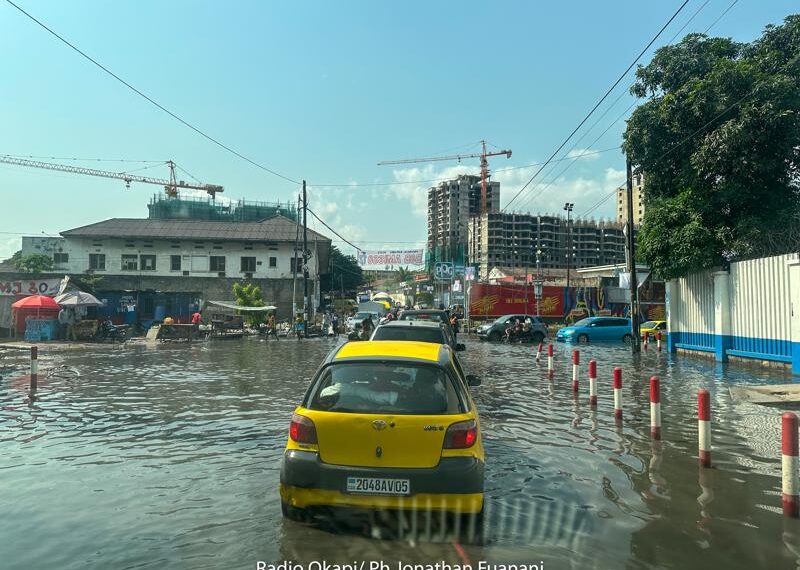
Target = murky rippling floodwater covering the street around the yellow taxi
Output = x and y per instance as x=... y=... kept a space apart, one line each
x=168 y=456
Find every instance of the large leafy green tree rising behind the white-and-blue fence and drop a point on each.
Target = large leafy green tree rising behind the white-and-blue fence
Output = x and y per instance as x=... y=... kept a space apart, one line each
x=717 y=141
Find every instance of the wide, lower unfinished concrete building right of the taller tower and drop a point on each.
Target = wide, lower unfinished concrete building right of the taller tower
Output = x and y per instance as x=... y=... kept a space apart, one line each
x=547 y=242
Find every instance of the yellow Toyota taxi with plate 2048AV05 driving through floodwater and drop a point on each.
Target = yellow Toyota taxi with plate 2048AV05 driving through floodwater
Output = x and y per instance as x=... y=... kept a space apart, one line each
x=385 y=425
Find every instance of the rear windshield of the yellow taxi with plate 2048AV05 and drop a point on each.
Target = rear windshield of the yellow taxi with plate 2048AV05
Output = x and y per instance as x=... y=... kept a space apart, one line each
x=385 y=388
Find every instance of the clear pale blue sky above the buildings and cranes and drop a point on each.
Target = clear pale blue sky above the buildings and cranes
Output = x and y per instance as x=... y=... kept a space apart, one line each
x=323 y=91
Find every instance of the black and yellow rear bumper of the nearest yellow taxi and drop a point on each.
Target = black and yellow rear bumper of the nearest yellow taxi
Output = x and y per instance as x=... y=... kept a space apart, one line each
x=456 y=484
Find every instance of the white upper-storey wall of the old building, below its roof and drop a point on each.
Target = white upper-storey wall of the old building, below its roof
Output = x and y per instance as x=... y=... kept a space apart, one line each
x=193 y=253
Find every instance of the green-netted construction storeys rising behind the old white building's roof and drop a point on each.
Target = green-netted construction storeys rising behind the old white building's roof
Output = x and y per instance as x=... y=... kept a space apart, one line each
x=163 y=207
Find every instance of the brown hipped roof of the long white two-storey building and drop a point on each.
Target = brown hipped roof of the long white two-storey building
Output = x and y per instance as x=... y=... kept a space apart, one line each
x=277 y=228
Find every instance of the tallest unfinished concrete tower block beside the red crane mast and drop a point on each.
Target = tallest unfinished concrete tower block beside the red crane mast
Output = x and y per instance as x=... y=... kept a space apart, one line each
x=451 y=204
